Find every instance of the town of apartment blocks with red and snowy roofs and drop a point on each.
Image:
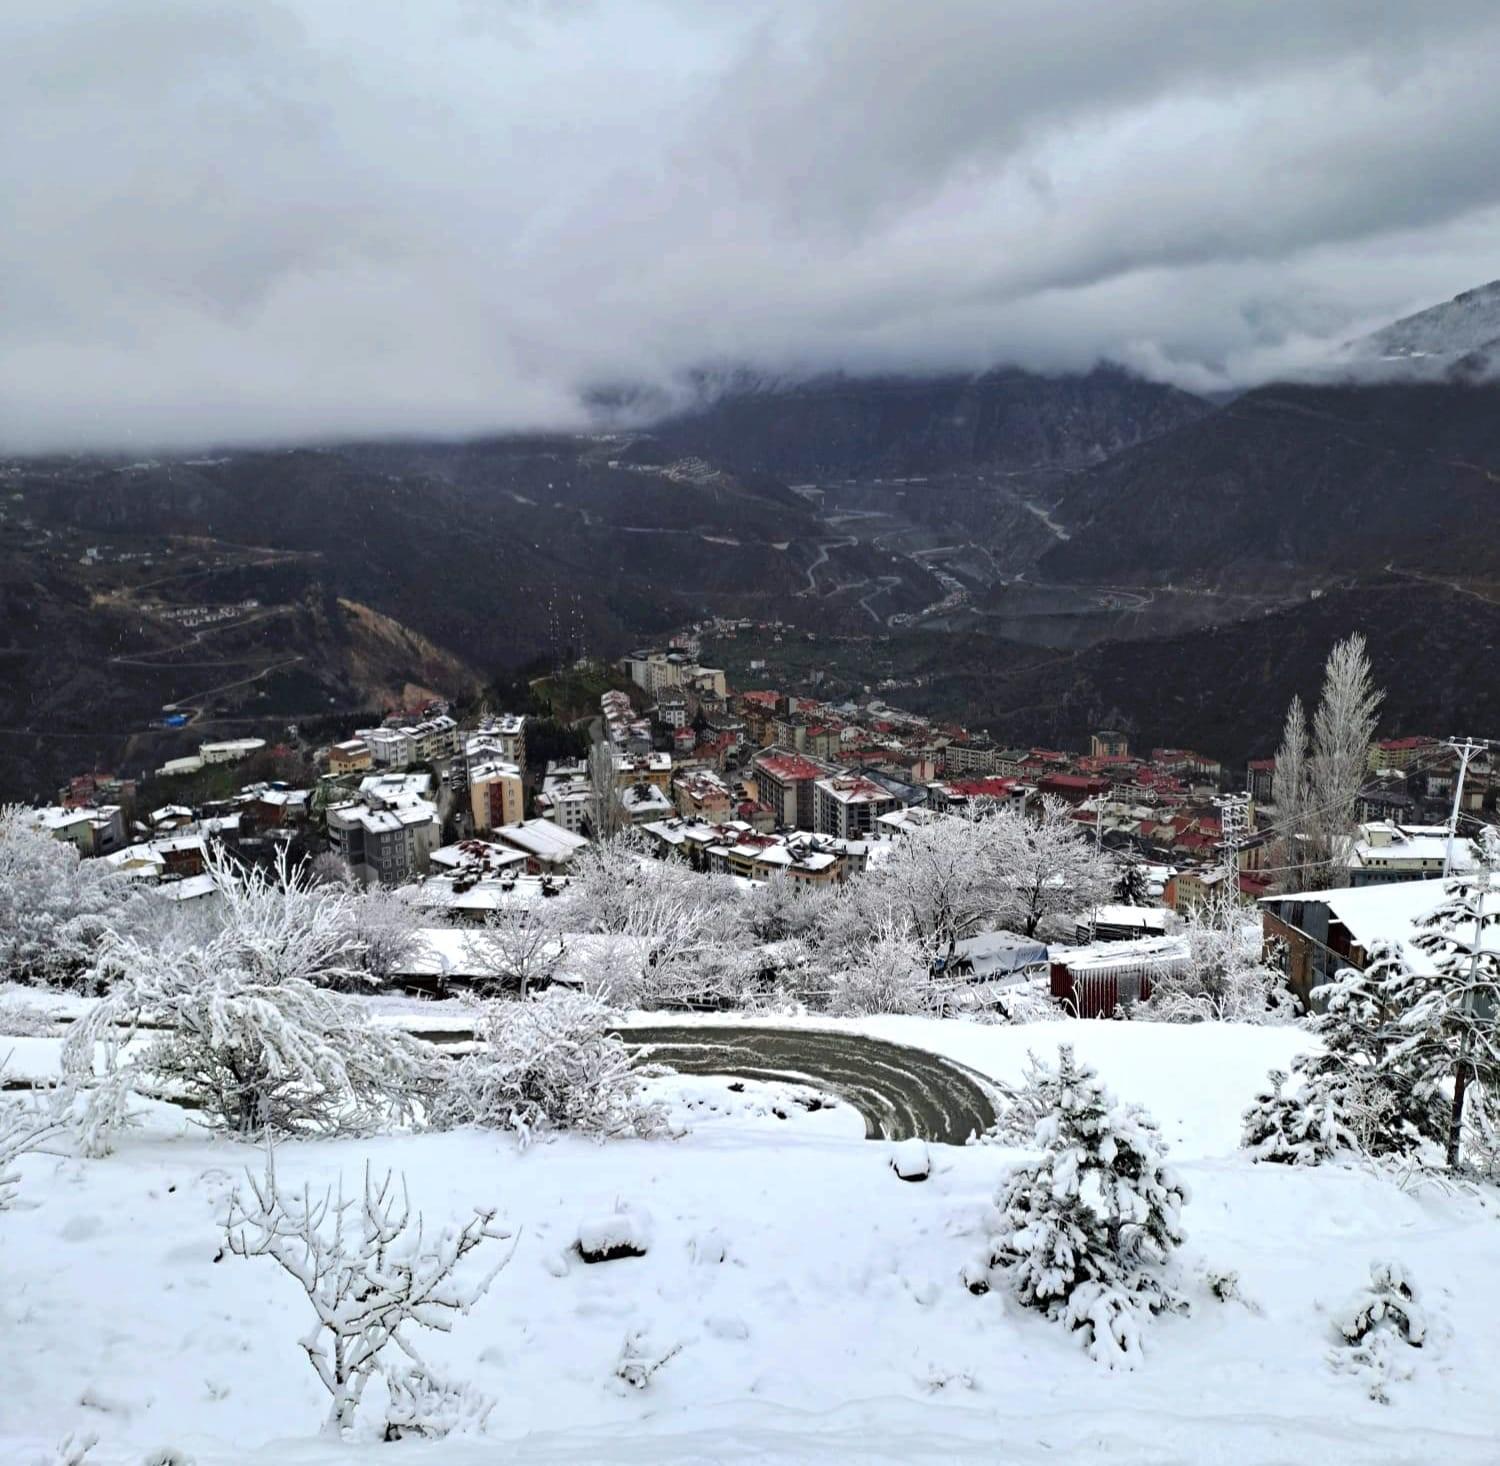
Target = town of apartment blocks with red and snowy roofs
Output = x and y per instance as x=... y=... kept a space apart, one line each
x=766 y=787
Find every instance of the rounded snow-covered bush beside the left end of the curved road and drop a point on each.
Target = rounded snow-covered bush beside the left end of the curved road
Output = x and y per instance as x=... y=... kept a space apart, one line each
x=553 y=1063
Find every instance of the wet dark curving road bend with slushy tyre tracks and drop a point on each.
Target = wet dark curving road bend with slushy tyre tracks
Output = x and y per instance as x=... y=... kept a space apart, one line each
x=899 y=1092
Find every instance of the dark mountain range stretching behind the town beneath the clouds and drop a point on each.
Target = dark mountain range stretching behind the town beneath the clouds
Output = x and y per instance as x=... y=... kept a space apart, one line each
x=1052 y=550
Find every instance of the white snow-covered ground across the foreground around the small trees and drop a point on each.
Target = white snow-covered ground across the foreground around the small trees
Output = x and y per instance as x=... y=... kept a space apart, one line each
x=814 y=1296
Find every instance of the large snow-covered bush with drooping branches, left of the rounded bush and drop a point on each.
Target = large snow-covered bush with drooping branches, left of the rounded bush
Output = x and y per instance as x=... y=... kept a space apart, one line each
x=245 y=1026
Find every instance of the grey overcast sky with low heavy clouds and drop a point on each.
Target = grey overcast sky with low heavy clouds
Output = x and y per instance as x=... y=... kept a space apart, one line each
x=257 y=223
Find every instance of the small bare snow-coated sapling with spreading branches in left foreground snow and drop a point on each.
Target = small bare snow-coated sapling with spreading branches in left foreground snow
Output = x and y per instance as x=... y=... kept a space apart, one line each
x=368 y=1269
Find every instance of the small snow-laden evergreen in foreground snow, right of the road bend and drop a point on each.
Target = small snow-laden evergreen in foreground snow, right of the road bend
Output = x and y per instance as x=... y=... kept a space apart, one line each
x=1088 y=1233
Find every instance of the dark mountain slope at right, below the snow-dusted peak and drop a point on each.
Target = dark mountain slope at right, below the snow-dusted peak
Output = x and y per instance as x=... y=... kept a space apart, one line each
x=1316 y=481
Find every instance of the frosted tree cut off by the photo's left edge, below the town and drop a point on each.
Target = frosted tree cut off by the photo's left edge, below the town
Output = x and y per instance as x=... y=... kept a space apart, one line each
x=55 y=907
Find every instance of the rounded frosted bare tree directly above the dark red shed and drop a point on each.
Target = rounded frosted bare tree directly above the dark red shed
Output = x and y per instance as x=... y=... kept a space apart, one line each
x=1045 y=868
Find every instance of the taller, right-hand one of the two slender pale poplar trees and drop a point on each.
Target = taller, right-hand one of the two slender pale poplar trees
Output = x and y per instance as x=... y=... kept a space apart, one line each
x=1343 y=728
